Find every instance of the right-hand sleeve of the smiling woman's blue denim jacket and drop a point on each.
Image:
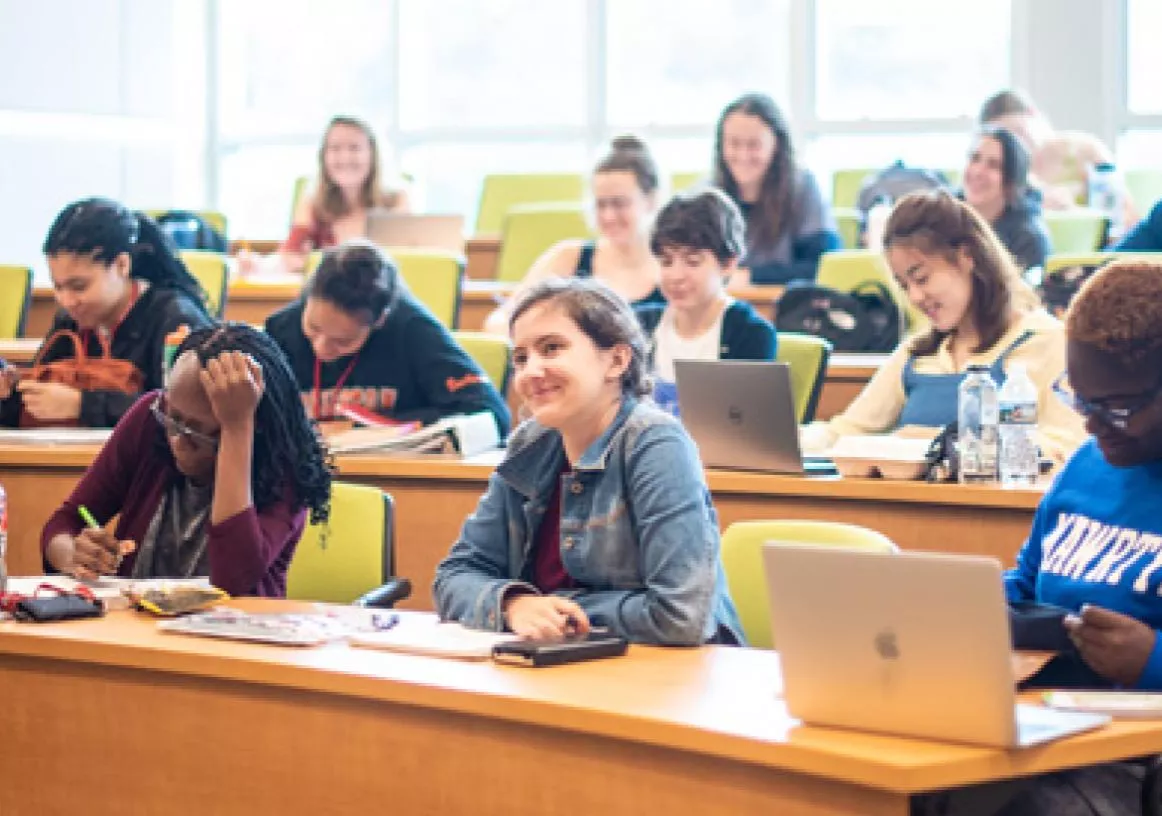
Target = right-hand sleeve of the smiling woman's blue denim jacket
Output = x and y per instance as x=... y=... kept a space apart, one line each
x=677 y=532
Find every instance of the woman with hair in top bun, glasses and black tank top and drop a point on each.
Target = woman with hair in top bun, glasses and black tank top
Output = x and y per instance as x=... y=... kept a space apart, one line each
x=625 y=187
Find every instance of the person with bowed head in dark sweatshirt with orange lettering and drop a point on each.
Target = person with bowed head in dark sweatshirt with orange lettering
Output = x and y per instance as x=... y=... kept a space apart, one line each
x=357 y=337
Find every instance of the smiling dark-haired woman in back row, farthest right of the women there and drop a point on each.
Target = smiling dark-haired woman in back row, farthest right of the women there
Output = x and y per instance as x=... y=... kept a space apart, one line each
x=996 y=185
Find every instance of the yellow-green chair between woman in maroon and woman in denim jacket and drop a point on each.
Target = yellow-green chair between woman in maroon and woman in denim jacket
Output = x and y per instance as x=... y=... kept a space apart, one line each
x=350 y=554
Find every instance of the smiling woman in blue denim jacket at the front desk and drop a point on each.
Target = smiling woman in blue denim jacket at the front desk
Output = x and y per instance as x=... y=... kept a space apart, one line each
x=600 y=514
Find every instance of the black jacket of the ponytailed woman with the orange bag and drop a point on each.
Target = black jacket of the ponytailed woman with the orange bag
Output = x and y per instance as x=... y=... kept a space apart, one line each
x=140 y=340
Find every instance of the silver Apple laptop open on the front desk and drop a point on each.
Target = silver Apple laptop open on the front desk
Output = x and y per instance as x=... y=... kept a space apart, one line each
x=912 y=643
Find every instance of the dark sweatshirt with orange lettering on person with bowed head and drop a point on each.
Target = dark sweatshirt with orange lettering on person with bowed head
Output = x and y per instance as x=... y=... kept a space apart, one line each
x=410 y=369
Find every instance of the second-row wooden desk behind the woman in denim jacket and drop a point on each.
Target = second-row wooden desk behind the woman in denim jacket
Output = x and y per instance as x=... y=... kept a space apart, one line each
x=433 y=498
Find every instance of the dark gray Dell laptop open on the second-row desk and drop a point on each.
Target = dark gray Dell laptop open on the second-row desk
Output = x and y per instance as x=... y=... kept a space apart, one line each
x=742 y=414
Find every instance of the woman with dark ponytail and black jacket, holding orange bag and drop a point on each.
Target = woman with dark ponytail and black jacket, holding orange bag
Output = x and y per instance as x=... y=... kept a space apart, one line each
x=114 y=275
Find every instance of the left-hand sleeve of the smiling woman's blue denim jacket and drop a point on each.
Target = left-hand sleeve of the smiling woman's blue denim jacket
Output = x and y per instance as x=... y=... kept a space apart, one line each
x=472 y=581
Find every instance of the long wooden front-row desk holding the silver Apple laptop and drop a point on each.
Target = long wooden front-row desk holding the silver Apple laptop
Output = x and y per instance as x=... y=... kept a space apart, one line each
x=203 y=726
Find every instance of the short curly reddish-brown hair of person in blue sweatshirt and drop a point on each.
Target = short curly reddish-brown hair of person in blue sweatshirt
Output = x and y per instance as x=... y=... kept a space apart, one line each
x=1120 y=311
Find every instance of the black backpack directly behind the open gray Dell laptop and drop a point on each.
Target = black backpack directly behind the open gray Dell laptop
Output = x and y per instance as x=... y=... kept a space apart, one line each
x=866 y=319
